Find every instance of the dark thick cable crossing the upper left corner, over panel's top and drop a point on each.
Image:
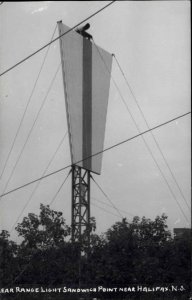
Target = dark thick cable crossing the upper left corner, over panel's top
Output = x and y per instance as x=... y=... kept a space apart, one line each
x=46 y=45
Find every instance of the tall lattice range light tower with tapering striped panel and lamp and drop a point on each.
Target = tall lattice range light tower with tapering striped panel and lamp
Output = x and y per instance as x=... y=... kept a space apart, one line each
x=86 y=72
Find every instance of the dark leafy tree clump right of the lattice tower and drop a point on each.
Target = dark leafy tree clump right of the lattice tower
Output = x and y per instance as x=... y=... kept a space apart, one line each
x=142 y=251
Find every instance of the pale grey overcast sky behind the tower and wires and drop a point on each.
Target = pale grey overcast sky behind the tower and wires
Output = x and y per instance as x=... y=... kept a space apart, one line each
x=152 y=43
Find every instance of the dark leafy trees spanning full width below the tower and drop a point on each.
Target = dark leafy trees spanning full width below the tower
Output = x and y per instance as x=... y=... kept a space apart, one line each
x=142 y=251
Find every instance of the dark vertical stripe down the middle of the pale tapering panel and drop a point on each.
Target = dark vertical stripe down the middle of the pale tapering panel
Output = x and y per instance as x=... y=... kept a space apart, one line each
x=87 y=102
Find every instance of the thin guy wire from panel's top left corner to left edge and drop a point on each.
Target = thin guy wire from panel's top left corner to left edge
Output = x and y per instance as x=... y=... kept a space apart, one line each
x=26 y=108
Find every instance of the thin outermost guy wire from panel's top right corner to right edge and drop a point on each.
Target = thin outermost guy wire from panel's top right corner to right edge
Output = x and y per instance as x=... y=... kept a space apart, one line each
x=147 y=124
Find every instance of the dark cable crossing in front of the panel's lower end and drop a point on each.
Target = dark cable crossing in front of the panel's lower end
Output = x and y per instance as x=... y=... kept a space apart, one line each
x=95 y=154
